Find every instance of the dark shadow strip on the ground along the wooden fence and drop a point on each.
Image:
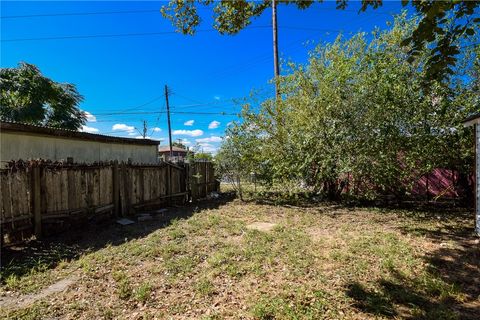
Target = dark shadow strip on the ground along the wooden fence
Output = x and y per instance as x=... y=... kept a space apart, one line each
x=42 y=255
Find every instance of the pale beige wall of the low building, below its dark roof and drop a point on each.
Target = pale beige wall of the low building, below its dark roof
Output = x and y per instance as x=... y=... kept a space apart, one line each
x=15 y=146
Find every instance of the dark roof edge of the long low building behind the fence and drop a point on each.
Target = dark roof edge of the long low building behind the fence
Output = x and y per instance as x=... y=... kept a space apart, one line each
x=8 y=126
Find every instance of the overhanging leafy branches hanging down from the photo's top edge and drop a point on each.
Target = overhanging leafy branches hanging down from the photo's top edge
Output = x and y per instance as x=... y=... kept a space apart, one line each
x=434 y=28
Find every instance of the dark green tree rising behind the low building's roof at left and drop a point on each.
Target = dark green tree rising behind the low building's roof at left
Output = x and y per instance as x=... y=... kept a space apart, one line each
x=29 y=97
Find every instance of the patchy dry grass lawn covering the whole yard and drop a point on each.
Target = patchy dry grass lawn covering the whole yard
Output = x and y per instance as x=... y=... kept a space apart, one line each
x=318 y=262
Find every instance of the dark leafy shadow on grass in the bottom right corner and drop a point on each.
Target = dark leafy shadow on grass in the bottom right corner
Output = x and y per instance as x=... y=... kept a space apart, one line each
x=450 y=288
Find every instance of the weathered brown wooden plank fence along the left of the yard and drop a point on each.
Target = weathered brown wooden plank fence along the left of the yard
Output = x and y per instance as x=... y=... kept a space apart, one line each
x=44 y=199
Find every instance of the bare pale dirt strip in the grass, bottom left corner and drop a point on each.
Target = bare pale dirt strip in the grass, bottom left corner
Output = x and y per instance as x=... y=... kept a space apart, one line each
x=26 y=300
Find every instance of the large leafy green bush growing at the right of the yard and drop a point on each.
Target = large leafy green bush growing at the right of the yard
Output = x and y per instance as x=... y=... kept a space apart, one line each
x=359 y=109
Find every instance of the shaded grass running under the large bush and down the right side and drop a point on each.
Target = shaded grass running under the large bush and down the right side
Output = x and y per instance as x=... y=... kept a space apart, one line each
x=450 y=286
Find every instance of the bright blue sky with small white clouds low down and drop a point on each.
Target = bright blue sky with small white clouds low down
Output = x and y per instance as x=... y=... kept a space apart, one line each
x=122 y=77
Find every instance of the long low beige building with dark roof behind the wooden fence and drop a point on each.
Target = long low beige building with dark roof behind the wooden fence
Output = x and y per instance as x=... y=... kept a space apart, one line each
x=26 y=142
